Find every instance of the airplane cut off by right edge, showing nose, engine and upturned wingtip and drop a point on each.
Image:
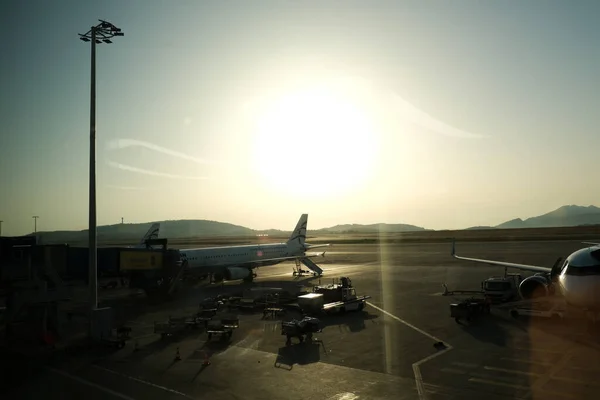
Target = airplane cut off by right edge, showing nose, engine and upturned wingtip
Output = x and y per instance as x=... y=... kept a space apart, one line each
x=577 y=279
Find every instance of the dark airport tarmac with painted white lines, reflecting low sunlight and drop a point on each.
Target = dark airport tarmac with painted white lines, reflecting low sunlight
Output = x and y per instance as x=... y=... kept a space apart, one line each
x=390 y=350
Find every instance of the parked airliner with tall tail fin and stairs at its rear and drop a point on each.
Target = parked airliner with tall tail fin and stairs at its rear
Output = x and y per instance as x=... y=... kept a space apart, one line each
x=238 y=262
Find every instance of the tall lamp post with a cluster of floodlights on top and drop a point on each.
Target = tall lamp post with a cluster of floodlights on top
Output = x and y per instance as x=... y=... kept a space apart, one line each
x=101 y=33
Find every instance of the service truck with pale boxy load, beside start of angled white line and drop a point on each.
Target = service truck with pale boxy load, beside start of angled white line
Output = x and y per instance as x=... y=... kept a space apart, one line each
x=337 y=297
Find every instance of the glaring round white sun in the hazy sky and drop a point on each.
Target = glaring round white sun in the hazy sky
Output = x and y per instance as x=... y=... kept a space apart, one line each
x=314 y=141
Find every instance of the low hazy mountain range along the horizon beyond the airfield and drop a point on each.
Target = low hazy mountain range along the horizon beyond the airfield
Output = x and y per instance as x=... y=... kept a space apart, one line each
x=564 y=216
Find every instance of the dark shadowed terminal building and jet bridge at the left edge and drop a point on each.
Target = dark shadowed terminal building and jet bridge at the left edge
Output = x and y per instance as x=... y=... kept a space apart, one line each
x=37 y=281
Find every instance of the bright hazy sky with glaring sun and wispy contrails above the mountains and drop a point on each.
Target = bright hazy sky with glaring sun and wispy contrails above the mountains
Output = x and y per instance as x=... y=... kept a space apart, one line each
x=442 y=114
